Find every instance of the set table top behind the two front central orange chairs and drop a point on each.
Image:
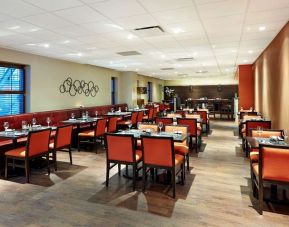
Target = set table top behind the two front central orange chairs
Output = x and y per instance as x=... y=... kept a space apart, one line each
x=138 y=133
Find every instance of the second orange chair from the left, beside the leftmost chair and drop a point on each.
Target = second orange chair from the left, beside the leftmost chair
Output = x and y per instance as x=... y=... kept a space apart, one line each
x=61 y=142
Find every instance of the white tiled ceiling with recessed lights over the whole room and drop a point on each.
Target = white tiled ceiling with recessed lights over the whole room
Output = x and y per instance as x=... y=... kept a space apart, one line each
x=218 y=34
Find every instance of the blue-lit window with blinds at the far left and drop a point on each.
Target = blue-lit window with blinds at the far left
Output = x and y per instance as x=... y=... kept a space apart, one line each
x=12 y=89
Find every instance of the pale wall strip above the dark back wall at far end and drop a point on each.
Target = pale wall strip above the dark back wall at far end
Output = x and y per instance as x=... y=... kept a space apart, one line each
x=213 y=80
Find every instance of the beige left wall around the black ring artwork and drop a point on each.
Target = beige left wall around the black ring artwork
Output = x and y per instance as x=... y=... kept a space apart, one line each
x=46 y=74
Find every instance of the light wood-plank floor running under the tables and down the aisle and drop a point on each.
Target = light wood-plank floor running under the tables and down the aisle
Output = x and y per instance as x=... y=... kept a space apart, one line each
x=217 y=193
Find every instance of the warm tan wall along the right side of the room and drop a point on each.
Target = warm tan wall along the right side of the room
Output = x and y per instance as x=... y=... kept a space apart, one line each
x=271 y=73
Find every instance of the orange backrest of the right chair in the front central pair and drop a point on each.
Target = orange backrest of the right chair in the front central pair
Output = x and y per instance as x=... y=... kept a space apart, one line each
x=158 y=151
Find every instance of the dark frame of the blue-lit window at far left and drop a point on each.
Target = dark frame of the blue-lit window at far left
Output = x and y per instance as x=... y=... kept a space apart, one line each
x=9 y=92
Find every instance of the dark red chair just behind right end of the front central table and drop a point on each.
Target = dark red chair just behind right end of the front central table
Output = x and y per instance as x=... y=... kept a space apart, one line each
x=193 y=129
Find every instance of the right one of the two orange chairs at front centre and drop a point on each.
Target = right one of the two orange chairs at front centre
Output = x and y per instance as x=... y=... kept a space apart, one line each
x=158 y=152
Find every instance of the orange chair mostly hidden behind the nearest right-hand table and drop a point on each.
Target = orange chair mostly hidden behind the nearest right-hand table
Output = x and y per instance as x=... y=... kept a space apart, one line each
x=267 y=133
